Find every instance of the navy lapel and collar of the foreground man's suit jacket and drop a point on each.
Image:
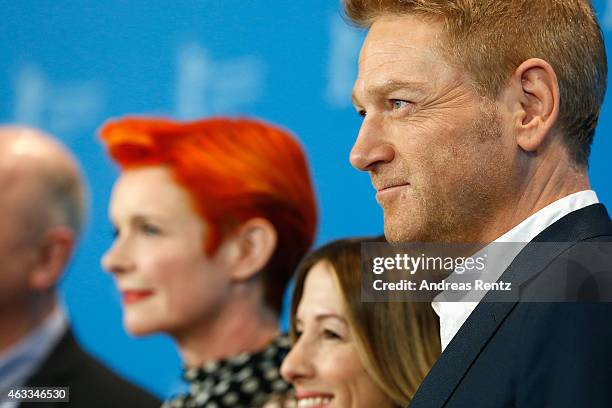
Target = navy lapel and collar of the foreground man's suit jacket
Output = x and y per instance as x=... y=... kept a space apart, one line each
x=481 y=325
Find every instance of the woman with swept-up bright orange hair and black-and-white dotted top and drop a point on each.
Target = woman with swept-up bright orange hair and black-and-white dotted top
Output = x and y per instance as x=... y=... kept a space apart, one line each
x=211 y=219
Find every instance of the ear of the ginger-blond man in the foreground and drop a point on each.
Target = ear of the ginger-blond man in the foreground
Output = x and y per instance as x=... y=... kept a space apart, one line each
x=534 y=93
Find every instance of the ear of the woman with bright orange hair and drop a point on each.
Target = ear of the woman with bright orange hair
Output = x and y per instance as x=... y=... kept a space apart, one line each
x=254 y=243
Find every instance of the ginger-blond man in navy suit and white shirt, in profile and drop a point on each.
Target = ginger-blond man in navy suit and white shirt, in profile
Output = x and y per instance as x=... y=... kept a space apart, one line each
x=478 y=118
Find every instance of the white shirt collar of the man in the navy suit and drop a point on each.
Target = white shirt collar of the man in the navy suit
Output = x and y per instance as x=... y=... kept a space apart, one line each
x=454 y=314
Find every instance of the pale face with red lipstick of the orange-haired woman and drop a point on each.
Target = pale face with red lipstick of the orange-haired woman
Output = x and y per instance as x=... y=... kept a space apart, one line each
x=167 y=282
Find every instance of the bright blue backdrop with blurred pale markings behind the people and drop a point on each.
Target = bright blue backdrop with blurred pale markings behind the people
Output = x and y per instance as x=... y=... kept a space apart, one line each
x=67 y=66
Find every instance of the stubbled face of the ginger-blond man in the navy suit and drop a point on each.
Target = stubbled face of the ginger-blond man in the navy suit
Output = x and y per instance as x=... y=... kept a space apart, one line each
x=436 y=151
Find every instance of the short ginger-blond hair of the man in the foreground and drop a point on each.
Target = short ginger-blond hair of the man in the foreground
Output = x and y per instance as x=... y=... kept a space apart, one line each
x=491 y=38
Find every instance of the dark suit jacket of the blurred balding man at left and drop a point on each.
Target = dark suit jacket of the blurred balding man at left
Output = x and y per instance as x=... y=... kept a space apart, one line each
x=91 y=384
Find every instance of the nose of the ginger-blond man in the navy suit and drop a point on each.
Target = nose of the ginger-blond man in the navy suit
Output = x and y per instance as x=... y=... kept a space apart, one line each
x=370 y=149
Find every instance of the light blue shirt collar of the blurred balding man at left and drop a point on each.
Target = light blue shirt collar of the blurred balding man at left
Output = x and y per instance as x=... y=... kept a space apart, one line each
x=22 y=360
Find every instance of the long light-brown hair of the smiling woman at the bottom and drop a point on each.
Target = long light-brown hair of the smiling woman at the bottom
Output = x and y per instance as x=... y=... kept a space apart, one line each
x=397 y=342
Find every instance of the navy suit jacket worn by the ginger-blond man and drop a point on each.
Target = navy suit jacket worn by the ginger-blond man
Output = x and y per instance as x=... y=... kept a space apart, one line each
x=536 y=354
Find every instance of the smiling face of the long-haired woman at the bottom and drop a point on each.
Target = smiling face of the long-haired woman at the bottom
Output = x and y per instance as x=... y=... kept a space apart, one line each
x=323 y=365
